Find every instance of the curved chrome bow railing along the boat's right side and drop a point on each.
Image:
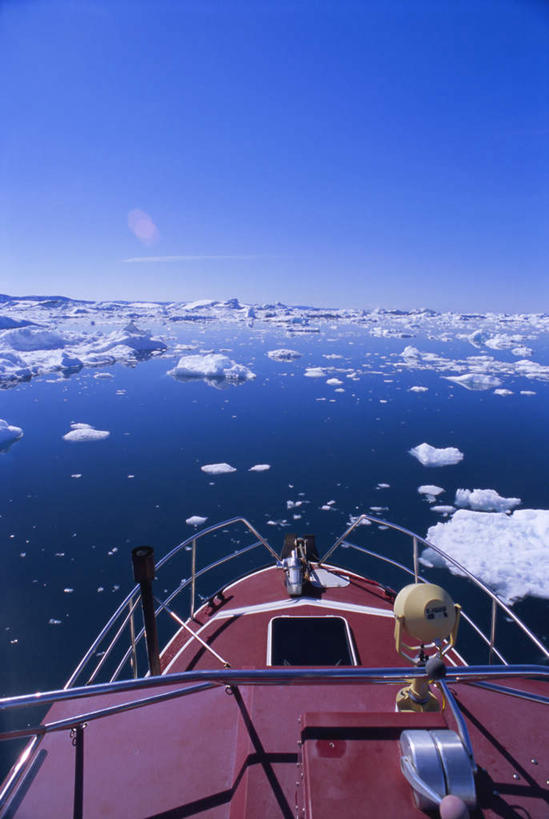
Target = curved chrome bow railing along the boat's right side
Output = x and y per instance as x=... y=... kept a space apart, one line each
x=496 y=602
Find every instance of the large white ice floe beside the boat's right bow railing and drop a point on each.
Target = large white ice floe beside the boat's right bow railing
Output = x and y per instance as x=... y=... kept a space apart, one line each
x=507 y=552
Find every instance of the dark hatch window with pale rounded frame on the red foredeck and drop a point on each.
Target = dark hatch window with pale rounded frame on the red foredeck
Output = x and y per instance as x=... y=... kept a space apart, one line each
x=310 y=641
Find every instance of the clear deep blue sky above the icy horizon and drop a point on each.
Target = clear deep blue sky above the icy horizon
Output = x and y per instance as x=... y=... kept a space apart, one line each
x=330 y=152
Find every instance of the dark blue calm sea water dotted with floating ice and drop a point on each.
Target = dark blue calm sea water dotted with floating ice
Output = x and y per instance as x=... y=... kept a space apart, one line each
x=138 y=486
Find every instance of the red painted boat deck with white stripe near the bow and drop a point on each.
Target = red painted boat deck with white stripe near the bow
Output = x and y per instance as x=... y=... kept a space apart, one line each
x=253 y=752
